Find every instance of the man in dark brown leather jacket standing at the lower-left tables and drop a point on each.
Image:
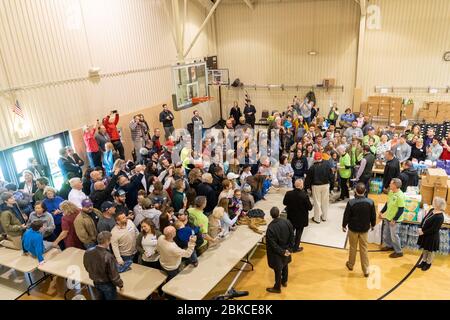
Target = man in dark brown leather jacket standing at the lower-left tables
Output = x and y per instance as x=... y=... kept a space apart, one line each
x=102 y=268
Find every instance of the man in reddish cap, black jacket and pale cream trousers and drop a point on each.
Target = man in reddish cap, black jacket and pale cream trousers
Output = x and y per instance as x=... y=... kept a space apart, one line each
x=318 y=180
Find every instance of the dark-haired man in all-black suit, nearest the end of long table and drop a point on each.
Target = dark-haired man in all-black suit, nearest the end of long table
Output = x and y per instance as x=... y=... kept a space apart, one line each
x=280 y=241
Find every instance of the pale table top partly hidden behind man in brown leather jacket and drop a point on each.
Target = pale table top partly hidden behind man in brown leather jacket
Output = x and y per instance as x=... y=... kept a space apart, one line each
x=139 y=282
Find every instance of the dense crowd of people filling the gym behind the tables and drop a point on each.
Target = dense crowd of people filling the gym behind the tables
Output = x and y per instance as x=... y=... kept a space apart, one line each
x=169 y=205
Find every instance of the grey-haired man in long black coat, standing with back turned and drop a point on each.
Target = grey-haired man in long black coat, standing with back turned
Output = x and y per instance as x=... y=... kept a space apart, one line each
x=297 y=207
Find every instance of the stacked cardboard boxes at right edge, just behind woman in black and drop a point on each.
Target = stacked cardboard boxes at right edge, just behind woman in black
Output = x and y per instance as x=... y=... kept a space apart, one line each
x=434 y=184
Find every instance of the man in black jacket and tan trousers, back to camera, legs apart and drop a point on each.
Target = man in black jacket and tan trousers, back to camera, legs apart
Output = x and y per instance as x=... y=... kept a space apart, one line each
x=359 y=216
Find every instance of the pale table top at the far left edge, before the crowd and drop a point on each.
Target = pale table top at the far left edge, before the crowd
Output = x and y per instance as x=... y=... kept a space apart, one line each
x=15 y=259
